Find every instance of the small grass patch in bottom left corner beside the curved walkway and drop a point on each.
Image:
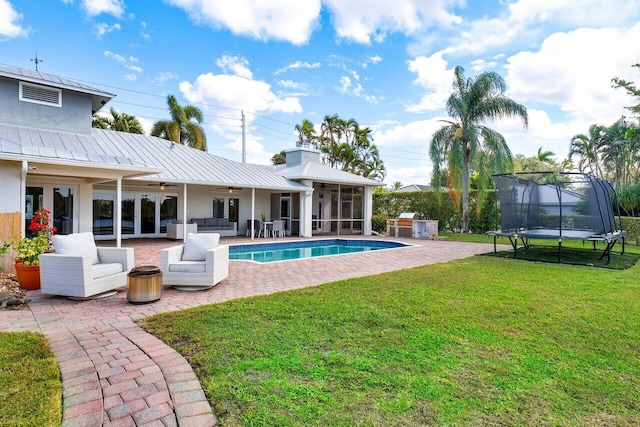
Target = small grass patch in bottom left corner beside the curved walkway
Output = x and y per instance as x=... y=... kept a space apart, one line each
x=30 y=385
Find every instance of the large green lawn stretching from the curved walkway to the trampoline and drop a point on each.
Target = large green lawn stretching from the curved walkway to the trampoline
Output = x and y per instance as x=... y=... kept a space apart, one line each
x=480 y=341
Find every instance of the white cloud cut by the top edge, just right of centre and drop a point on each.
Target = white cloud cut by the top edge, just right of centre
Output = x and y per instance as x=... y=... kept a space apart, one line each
x=364 y=20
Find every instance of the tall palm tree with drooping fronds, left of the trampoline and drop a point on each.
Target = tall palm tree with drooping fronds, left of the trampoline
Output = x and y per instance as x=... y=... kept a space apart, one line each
x=465 y=144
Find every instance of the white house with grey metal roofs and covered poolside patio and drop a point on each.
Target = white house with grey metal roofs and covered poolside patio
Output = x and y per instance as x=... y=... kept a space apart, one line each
x=120 y=185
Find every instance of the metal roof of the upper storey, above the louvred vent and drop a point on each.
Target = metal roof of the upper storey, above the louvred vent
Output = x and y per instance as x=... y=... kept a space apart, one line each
x=98 y=96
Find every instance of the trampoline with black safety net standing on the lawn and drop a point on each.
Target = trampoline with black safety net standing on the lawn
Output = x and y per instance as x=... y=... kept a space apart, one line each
x=557 y=205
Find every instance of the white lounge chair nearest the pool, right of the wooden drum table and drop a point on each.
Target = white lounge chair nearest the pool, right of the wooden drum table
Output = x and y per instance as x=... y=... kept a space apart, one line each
x=200 y=263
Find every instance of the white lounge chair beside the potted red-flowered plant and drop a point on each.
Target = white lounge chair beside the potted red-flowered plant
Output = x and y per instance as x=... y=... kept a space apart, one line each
x=80 y=269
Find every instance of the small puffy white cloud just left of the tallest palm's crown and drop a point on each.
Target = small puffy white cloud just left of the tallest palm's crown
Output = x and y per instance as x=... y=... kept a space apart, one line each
x=435 y=78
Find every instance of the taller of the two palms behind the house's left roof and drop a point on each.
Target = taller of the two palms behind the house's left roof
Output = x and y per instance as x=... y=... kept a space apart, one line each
x=181 y=129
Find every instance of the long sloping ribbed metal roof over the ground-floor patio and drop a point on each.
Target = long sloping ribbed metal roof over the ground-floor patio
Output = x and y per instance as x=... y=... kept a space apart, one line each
x=171 y=163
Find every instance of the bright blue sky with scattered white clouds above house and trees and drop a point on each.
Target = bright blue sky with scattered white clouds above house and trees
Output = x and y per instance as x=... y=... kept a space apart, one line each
x=387 y=64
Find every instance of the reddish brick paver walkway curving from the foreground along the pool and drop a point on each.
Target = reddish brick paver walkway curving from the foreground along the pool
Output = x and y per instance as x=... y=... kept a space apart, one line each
x=115 y=374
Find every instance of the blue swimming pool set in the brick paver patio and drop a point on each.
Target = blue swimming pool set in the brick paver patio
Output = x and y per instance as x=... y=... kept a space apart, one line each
x=286 y=251
